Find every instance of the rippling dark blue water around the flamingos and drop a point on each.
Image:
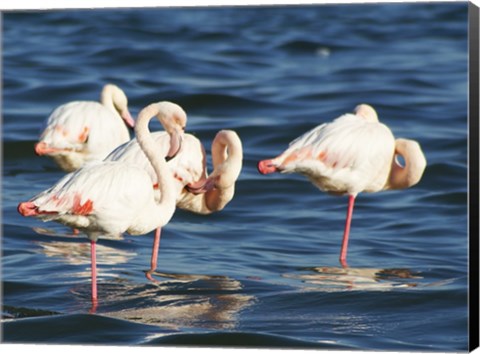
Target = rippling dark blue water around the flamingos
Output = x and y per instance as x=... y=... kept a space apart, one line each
x=264 y=271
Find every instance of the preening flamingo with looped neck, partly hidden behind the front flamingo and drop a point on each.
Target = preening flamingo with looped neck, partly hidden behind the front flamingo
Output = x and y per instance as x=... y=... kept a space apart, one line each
x=195 y=191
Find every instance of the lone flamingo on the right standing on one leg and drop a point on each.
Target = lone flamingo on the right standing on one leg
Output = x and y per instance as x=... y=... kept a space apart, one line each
x=354 y=153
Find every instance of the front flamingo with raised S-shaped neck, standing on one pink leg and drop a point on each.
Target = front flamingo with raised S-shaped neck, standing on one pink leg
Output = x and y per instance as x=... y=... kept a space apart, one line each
x=112 y=197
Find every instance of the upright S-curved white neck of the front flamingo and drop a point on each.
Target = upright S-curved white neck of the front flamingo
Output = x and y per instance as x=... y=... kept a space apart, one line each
x=165 y=180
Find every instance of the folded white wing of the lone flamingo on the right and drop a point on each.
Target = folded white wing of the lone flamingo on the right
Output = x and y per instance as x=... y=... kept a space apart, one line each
x=348 y=155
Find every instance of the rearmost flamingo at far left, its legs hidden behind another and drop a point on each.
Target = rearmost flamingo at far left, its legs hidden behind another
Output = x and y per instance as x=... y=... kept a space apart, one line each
x=83 y=131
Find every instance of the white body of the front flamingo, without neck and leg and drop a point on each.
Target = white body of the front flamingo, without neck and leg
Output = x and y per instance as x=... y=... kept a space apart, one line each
x=102 y=198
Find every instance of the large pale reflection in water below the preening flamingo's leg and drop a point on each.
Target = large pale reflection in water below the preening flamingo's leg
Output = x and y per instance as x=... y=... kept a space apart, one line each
x=185 y=300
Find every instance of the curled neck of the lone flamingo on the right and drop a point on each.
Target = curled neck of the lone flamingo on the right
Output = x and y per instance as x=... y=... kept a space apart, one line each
x=402 y=177
